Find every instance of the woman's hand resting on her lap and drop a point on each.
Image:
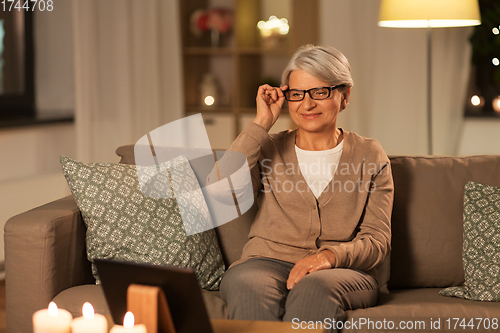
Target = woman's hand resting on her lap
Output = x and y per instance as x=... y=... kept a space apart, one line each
x=322 y=260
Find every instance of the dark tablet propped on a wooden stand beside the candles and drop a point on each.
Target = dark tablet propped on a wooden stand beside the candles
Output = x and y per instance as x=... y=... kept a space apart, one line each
x=180 y=286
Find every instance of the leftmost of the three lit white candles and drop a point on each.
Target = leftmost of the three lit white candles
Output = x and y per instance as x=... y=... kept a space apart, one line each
x=52 y=320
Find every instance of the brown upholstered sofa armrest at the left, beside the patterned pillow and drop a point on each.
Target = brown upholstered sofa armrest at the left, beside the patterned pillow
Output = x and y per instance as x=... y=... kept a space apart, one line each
x=44 y=254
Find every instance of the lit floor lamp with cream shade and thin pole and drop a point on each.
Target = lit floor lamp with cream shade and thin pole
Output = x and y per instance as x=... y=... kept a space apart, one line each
x=429 y=14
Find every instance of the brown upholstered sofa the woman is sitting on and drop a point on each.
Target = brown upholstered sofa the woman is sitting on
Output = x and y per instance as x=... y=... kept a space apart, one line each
x=45 y=252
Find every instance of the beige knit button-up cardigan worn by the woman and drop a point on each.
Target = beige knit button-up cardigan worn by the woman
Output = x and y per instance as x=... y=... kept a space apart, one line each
x=351 y=218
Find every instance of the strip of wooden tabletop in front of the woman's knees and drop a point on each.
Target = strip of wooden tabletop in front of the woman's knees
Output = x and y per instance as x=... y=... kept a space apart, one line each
x=248 y=326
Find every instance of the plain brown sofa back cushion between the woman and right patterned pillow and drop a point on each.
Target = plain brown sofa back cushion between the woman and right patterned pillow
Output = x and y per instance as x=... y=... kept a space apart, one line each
x=427 y=221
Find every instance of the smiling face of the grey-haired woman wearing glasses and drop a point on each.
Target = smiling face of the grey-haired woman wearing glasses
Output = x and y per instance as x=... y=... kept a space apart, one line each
x=316 y=116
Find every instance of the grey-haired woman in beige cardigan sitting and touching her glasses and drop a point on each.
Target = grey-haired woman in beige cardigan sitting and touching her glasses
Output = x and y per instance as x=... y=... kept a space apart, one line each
x=325 y=198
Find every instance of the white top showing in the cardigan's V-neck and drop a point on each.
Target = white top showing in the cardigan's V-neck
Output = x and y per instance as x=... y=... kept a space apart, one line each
x=318 y=167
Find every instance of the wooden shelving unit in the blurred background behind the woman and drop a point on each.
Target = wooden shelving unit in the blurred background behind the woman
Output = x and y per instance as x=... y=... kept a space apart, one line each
x=243 y=63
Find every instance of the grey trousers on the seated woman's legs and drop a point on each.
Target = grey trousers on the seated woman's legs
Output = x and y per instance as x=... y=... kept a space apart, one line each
x=256 y=290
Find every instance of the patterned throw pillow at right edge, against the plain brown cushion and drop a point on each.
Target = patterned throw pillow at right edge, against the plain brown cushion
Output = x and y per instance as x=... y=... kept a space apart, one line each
x=481 y=247
